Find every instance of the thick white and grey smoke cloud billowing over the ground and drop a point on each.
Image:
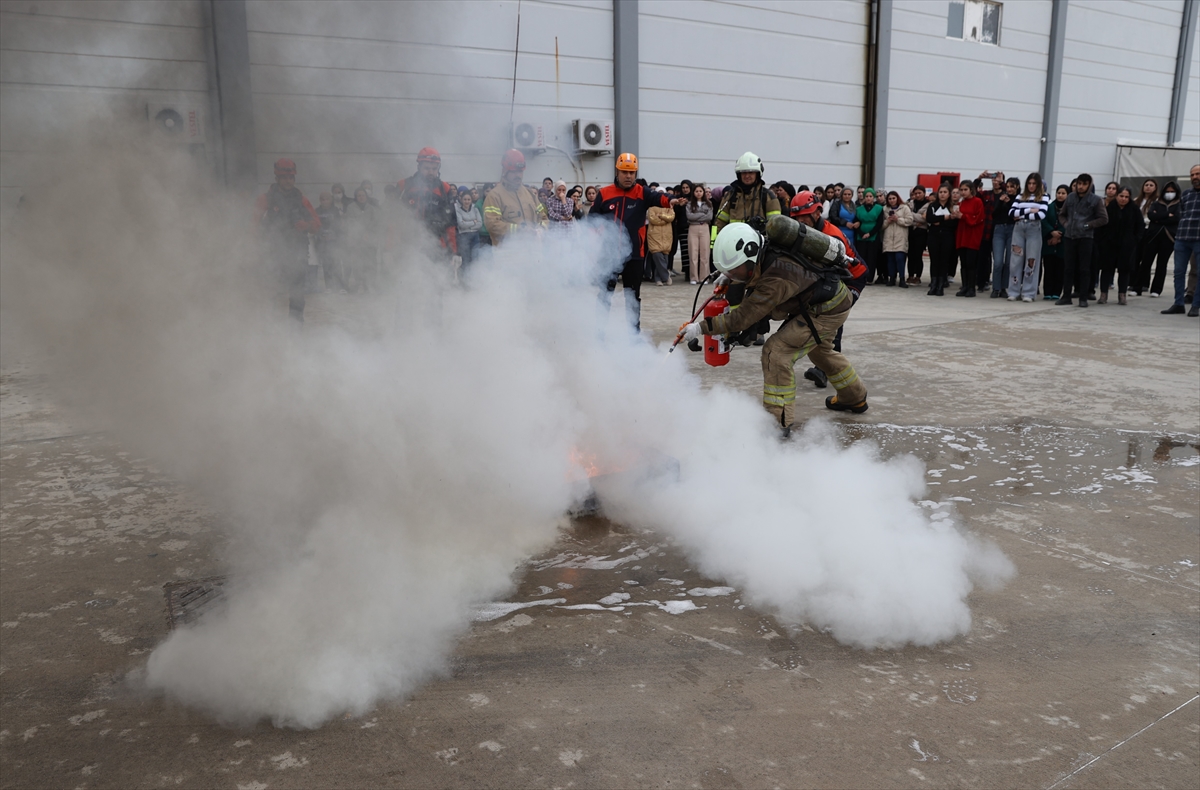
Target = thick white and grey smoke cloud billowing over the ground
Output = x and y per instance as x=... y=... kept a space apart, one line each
x=383 y=480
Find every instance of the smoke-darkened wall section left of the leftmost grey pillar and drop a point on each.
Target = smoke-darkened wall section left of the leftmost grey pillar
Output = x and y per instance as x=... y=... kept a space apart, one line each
x=65 y=65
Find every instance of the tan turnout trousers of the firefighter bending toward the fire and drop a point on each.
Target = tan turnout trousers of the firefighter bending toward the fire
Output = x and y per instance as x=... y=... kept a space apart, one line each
x=795 y=340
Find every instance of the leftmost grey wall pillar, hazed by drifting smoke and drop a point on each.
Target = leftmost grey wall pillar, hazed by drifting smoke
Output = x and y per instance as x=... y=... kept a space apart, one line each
x=236 y=121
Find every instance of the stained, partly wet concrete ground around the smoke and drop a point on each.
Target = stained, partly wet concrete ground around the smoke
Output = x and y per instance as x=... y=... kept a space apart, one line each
x=1067 y=436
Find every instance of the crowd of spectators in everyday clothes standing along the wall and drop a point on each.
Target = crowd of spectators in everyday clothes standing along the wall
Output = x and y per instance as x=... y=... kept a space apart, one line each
x=995 y=236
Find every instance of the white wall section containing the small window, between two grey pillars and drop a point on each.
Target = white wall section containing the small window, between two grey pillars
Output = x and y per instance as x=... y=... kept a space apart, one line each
x=963 y=106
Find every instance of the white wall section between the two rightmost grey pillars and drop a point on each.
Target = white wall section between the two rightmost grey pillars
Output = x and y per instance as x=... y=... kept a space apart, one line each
x=1118 y=73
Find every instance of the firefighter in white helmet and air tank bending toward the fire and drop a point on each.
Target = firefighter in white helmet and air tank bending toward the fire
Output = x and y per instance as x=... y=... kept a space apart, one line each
x=794 y=274
